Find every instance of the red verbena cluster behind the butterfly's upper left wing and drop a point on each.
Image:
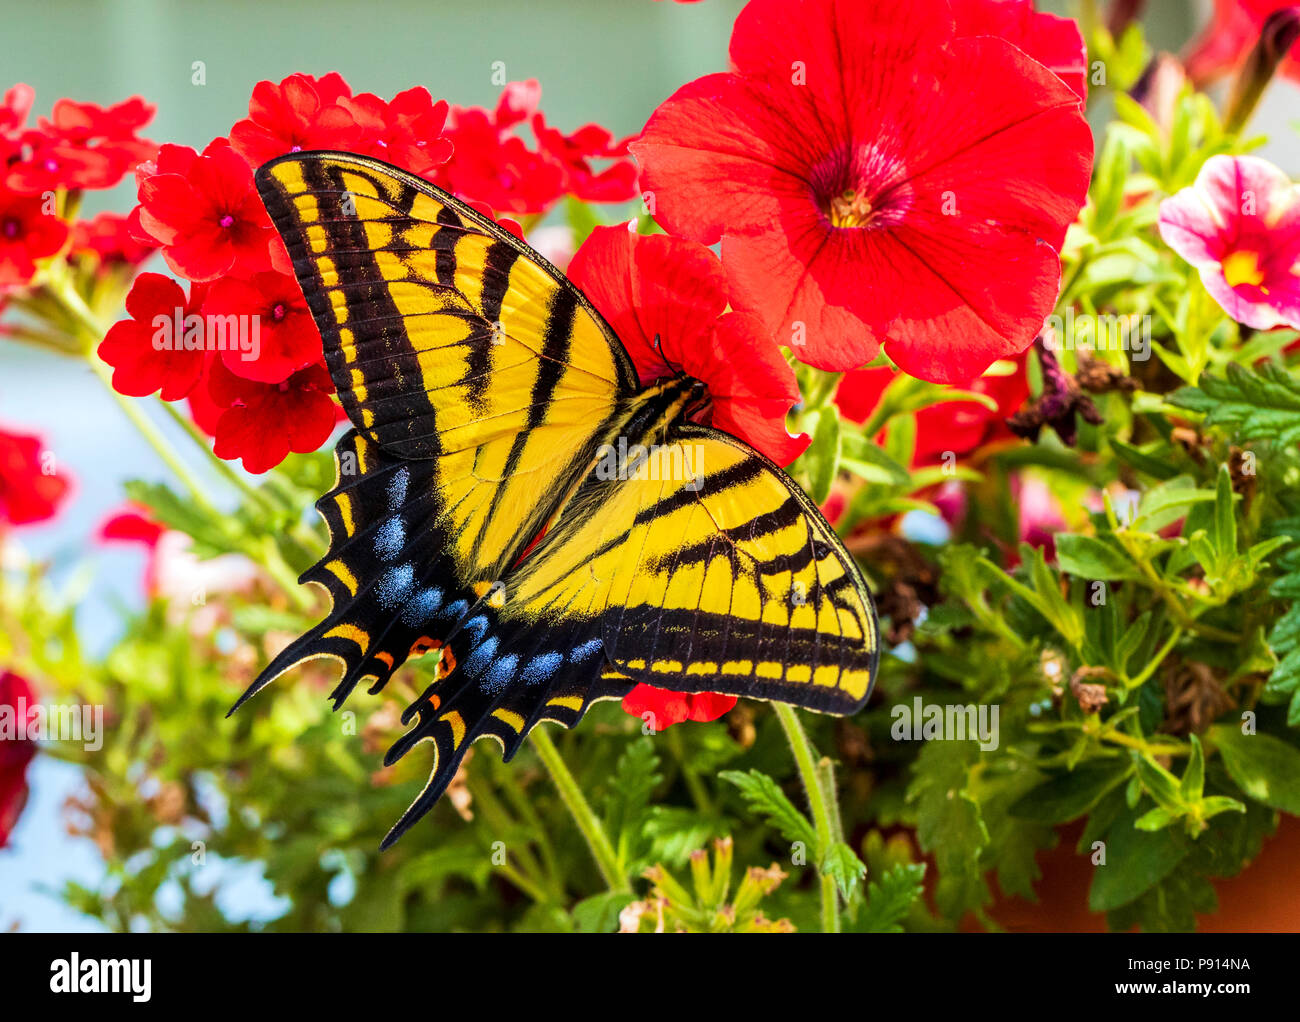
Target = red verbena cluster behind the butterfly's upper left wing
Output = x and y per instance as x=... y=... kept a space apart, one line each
x=266 y=392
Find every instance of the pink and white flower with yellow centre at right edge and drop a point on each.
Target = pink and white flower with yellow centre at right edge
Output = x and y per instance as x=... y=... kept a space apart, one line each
x=1240 y=226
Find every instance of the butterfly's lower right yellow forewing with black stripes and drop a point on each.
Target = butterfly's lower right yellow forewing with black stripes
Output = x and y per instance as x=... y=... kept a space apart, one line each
x=709 y=571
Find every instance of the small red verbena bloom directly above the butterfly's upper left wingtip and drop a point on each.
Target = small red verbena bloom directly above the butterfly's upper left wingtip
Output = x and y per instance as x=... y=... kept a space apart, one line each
x=300 y=114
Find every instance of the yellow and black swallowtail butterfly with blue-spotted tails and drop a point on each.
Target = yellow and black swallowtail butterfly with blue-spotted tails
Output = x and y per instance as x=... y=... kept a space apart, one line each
x=512 y=497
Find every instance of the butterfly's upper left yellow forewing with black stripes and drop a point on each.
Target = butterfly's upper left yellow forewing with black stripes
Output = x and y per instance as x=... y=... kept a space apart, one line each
x=449 y=339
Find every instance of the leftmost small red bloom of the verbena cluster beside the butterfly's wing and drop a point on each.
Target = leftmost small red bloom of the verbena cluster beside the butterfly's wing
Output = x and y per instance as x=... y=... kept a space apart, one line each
x=163 y=345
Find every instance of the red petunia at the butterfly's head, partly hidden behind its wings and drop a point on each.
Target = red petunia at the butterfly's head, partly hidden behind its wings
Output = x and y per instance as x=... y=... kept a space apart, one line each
x=666 y=300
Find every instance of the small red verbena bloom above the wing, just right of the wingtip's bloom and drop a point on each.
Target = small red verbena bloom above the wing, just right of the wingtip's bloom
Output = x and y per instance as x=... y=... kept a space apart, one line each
x=406 y=132
